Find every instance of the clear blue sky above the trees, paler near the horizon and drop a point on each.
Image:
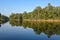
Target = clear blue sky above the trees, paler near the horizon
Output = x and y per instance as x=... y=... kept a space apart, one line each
x=18 y=6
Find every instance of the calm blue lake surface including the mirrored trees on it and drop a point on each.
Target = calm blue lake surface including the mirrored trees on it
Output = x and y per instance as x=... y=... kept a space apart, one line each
x=15 y=30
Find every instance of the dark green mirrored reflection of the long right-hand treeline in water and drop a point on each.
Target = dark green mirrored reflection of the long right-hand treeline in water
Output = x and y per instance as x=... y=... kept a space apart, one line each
x=47 y=28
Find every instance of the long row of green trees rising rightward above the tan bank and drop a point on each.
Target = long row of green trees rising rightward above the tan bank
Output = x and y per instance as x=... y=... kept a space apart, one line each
x=49 y=12
